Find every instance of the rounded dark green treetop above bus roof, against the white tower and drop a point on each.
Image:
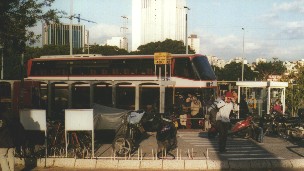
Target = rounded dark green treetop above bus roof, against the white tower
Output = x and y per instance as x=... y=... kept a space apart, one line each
x=171 y=46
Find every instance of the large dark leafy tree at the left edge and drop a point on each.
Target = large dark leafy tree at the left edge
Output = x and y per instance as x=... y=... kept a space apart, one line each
x=16 y=17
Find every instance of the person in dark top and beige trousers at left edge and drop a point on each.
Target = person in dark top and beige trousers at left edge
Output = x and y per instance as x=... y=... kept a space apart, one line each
x=7 y=149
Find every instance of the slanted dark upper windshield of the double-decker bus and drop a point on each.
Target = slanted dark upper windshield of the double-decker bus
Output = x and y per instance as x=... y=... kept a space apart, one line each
x=203 y=68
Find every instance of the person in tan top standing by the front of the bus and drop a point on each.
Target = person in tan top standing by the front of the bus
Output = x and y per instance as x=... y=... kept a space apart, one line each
x=196 y=105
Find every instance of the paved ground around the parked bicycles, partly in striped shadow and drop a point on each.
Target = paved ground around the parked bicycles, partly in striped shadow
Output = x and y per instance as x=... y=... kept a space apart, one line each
x=195 y=145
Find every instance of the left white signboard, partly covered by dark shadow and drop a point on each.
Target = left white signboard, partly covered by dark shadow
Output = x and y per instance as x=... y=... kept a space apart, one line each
x=33 y=119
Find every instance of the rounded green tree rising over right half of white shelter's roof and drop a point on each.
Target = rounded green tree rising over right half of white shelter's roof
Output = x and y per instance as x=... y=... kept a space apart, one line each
x=270 y=68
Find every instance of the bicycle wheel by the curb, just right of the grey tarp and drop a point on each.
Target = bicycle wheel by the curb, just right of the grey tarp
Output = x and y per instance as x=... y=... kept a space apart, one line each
x=122 y=146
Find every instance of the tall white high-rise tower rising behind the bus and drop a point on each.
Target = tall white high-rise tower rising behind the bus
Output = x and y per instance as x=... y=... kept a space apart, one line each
x=158 y=20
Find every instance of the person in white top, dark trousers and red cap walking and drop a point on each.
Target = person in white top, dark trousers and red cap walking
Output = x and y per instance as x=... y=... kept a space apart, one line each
x=224 y=121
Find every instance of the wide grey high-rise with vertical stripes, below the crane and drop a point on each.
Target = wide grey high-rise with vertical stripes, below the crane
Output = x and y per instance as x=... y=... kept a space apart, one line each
x=58 y=34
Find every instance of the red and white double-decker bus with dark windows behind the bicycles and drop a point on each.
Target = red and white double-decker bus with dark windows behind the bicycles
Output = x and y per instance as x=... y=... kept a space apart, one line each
x=121 y=81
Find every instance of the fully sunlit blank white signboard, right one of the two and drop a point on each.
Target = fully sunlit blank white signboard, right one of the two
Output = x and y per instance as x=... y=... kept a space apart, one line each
x=79 y=119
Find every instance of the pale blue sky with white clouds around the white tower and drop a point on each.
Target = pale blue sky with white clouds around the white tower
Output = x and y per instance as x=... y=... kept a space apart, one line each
x=272 y=28
